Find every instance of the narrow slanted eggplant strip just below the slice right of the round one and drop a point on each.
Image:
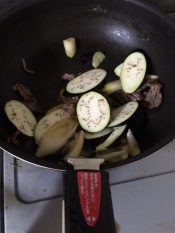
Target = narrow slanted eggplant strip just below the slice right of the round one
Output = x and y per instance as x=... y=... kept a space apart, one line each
x=112 y=137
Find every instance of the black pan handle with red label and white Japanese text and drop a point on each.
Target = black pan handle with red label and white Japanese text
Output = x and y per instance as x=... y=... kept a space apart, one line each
x=88 y=203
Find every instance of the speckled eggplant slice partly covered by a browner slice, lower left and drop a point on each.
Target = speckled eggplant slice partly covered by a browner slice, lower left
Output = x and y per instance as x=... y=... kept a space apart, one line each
x=47 y=121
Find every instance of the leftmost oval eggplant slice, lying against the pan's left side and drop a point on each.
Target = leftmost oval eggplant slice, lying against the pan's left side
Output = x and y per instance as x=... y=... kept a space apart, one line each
x=21 y=117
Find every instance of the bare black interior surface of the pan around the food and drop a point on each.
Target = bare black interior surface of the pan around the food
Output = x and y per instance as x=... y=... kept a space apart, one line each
x=35 y=32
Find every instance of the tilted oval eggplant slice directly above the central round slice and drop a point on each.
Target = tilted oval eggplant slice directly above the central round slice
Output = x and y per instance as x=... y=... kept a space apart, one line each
x=86 y=81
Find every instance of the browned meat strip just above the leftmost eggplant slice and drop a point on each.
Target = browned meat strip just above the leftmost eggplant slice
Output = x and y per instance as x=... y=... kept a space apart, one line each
x=29 y=99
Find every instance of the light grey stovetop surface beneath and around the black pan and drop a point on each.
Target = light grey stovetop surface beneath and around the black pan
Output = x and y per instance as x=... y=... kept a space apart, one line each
x=142 y=193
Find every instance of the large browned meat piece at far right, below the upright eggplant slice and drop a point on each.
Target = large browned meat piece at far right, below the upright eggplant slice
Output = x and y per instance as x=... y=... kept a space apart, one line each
x=149 y=95
